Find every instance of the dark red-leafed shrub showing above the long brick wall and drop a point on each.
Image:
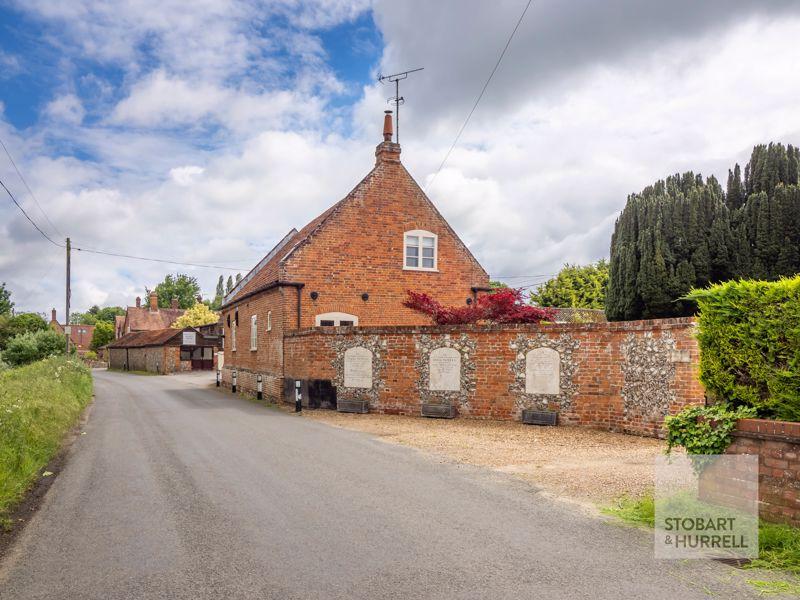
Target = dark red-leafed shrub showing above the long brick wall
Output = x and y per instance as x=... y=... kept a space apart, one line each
x=503 y=306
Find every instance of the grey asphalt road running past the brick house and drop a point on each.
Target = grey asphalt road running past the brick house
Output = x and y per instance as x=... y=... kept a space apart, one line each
x=180 y=491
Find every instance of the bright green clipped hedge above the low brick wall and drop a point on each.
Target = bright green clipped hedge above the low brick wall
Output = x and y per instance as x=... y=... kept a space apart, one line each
x=749 y=336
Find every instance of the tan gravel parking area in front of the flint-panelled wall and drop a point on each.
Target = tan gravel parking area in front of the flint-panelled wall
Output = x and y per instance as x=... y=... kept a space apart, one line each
x=583 y=465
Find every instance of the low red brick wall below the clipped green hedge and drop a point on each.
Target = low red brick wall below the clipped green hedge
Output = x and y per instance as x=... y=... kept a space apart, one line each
x=777 y=444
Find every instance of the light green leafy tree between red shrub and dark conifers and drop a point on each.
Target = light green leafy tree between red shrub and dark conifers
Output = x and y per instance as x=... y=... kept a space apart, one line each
x=575 y=286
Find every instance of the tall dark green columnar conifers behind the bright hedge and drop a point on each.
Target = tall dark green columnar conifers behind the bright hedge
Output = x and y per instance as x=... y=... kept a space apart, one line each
x=685 y=232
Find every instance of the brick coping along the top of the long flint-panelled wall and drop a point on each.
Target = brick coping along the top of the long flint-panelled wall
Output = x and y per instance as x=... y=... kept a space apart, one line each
x=644 y=325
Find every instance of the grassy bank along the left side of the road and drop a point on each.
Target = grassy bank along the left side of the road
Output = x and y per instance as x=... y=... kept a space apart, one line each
x=39 y=403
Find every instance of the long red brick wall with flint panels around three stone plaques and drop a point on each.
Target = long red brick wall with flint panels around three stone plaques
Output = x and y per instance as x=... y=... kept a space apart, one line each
x=622 y=376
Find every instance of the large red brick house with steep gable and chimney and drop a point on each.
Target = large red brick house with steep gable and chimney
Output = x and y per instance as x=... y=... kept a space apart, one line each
x=351 y=266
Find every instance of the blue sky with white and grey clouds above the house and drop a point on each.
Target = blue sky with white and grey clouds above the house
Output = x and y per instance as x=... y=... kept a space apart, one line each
x=204 y=134
